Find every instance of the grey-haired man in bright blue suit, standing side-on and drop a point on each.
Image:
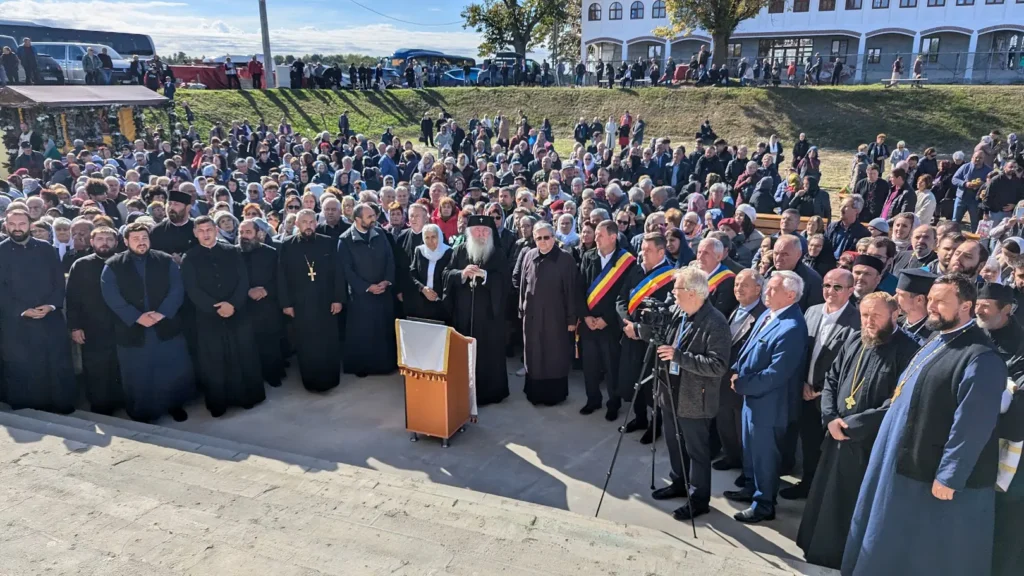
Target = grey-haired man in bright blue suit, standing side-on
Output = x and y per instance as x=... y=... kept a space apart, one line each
x=767 y=376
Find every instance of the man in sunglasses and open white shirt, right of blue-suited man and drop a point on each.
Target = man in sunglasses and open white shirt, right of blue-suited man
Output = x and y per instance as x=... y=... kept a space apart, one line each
x=829 y=326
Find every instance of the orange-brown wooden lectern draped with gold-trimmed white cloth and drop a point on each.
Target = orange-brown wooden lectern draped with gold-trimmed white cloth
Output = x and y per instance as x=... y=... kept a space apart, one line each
x=439 y=365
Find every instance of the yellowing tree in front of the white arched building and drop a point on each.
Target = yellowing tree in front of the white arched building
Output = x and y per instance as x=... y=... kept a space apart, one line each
x=719 y=18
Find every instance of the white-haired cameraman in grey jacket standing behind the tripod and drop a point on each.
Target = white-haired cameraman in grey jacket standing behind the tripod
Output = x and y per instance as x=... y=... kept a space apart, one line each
x=697 y=359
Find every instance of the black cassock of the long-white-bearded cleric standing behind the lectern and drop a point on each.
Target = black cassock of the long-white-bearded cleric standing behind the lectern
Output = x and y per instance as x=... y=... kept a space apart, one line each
x=480 y=313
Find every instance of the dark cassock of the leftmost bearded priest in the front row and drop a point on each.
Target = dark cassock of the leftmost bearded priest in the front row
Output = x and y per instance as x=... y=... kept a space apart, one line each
x=37 y=367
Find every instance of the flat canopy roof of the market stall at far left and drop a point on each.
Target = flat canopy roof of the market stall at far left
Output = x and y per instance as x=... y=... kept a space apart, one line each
x=78 y=97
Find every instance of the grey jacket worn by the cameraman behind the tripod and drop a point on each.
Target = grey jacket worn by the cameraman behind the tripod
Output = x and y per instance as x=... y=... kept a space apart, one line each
x=703 y=357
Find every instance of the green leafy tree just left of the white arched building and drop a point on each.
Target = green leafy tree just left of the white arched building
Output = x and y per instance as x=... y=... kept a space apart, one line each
x=516 y=24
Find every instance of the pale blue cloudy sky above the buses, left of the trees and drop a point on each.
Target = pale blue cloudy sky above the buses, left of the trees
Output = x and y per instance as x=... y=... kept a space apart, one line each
x=216 y=28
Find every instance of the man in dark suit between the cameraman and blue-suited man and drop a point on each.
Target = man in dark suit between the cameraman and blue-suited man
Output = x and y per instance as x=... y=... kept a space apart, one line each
x=730 y=421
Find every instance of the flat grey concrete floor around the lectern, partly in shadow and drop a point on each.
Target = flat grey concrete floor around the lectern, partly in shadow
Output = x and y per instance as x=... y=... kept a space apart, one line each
x=551 y=457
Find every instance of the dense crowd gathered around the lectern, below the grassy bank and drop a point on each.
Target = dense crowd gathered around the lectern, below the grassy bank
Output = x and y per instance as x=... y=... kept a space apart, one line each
x=884 y=344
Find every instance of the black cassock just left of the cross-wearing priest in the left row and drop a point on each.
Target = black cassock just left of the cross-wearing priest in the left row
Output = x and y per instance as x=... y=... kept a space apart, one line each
x=266 y=315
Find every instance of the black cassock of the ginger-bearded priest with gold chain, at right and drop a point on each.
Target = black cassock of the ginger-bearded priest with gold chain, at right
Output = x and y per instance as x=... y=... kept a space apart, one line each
x=834 y=493
